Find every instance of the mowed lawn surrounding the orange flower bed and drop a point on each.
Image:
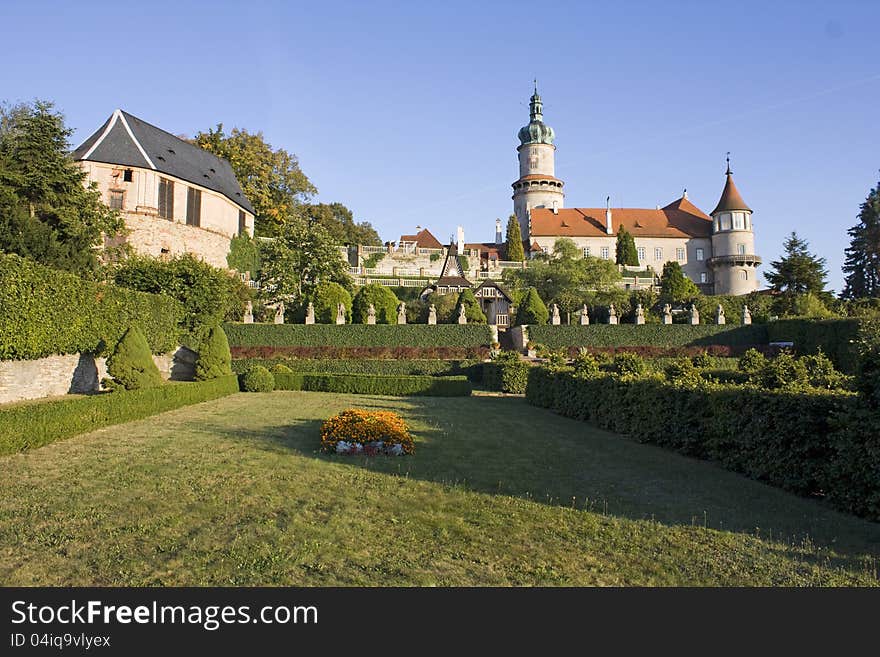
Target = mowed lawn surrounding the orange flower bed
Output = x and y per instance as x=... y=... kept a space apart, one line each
x=236 y=492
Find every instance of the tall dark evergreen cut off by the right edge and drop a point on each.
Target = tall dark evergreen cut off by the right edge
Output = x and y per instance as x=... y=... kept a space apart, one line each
x=862 y=265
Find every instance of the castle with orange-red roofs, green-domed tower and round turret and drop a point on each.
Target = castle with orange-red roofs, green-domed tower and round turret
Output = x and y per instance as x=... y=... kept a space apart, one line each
x=717 y=252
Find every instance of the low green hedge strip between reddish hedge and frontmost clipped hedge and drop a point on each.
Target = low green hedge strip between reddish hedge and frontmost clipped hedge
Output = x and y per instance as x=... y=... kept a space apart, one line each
x=421 y=367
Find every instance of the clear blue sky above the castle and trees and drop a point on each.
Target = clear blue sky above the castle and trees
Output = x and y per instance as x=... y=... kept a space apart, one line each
x=407 y=112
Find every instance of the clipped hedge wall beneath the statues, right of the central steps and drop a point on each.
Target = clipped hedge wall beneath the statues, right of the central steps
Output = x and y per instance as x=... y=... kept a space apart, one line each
x=656 y=335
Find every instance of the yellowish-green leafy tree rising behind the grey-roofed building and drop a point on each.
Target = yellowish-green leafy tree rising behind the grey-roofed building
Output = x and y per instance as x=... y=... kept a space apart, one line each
x=270 y=178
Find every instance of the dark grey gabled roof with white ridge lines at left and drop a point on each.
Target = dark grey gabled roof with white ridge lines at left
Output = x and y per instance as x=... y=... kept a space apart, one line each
x=127 y=141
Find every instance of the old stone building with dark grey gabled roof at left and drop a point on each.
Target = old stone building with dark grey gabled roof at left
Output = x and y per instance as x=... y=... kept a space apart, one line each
x=175 y=197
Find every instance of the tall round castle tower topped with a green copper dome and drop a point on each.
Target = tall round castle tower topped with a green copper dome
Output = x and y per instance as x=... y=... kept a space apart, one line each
x=538 y=186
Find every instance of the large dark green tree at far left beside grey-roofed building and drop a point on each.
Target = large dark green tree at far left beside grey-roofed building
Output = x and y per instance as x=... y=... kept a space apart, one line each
x=47 y=213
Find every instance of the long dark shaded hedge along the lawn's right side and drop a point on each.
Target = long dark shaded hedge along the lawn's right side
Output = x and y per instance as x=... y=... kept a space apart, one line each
x=786 y=439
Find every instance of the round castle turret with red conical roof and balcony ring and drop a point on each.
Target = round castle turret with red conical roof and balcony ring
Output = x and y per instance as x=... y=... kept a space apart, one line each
x=734 y=262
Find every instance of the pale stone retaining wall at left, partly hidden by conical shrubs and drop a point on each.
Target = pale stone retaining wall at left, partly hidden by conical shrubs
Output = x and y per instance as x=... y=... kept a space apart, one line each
x=76 y=373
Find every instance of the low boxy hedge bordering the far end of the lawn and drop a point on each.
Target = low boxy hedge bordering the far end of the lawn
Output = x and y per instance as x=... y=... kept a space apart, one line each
x=363 y=384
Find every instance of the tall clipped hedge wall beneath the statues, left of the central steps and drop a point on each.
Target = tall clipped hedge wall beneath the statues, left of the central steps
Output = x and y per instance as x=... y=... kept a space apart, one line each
x=356 y=335
